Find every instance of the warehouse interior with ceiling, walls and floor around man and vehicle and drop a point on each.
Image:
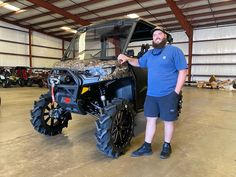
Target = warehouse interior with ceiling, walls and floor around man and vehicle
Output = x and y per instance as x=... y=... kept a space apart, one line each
x=34 y=35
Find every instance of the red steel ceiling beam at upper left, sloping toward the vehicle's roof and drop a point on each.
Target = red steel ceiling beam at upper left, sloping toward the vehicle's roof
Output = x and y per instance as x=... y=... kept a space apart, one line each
x=60 y=11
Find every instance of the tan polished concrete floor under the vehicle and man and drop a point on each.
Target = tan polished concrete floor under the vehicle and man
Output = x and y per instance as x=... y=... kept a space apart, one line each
x=204 y=144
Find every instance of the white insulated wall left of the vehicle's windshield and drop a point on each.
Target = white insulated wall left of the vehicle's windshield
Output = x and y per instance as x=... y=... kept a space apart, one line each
x=14 y=47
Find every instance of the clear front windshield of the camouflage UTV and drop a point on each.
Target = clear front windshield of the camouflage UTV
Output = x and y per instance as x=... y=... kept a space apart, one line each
x=98 y=42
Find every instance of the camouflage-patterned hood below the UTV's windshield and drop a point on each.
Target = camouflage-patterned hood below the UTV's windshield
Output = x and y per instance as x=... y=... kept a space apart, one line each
x=106 y=69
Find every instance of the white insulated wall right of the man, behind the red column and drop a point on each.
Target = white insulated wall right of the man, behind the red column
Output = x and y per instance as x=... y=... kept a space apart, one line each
x=214 y=52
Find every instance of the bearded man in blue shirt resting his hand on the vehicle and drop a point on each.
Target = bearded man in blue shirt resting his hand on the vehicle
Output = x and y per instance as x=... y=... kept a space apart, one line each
x=167 y=70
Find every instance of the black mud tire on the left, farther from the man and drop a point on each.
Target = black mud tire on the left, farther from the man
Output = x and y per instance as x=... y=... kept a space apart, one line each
x=41 y=119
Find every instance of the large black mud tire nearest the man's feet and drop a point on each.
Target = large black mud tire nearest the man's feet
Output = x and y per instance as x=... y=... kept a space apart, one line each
x=114 y=128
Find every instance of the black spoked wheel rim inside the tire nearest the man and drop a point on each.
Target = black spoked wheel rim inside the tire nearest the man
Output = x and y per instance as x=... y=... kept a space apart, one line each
x=122 y=129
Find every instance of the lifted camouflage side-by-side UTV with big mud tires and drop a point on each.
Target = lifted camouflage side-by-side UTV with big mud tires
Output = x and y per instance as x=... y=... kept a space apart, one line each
x=89 y=80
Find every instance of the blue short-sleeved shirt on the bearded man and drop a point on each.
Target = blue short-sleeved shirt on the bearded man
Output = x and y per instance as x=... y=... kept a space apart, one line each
x=163 y=66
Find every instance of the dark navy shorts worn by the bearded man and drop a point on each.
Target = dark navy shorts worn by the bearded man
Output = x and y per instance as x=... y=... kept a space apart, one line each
x=165 y=107
